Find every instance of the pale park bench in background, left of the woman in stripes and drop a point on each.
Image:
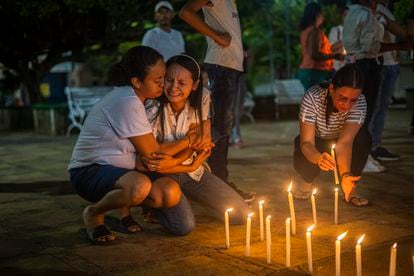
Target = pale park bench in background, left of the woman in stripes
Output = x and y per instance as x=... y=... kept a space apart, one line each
x=288 y=92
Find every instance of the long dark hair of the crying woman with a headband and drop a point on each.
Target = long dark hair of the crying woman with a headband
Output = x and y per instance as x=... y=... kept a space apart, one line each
x=195 y=98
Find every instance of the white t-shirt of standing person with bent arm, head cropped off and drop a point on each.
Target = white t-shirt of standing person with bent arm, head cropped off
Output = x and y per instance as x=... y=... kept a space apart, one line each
x=223 y=17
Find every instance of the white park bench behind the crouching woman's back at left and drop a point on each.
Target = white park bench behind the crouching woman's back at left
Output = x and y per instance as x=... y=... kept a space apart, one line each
x=80 y=102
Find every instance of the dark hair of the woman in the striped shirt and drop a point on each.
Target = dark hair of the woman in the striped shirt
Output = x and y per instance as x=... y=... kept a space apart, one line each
x=347 y=76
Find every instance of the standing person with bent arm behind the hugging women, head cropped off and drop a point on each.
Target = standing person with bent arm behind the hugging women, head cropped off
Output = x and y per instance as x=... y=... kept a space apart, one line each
x=223 y=63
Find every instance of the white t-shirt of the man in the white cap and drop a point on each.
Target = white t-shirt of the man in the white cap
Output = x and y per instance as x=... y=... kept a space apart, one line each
x=168 y=44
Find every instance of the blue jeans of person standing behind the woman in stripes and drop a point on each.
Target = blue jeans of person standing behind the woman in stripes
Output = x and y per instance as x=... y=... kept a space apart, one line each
x=389 y=77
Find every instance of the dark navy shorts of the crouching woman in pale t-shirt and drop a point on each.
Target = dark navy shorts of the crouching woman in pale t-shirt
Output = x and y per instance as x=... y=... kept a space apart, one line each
x=93 y=182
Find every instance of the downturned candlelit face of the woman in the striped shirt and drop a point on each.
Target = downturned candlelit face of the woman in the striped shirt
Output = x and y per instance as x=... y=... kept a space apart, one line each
x=344 y=98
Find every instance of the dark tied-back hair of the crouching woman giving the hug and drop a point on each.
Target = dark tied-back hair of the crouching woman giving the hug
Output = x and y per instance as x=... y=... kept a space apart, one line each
x=135 y=63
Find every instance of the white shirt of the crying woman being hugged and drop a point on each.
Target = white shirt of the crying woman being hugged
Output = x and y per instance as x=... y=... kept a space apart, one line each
x=176 y=128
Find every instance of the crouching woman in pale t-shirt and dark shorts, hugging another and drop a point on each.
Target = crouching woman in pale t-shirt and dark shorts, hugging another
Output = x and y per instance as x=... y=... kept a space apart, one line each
x=103 y=168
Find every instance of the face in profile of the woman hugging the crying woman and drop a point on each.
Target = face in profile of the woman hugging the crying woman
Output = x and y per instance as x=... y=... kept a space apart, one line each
x=153 y=84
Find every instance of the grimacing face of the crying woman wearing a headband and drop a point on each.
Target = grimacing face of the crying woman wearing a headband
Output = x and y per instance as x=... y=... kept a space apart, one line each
x=178 y=84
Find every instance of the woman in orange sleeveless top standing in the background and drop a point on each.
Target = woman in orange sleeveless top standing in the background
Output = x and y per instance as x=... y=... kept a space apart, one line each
x=317 y=56
